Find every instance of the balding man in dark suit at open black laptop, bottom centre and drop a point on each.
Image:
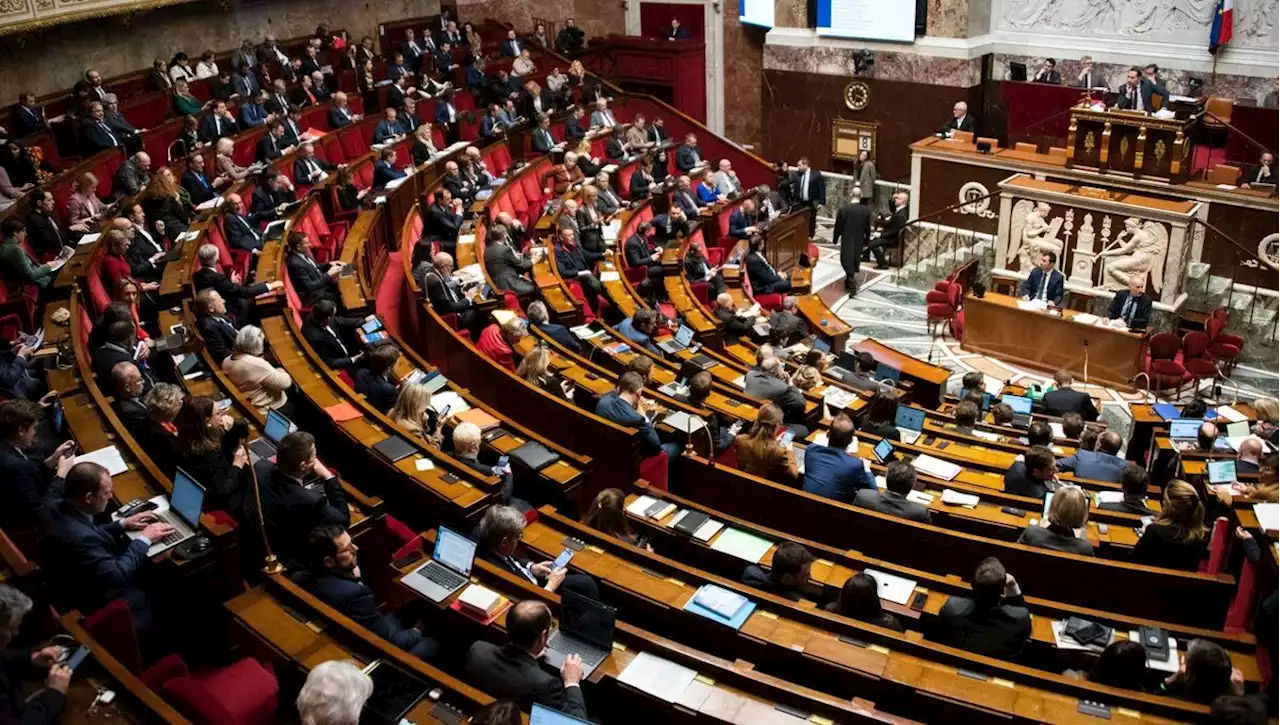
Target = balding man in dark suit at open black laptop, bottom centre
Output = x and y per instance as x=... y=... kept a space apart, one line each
x=514 y=669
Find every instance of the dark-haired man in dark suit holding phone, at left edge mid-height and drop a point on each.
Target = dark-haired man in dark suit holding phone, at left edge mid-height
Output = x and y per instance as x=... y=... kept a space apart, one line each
x=34 y=486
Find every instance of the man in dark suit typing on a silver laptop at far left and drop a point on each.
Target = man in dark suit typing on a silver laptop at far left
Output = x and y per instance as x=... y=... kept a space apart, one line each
x=89 y=564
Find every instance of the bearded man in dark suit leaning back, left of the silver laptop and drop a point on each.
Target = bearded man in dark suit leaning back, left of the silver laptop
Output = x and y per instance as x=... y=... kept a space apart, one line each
x=333 y=576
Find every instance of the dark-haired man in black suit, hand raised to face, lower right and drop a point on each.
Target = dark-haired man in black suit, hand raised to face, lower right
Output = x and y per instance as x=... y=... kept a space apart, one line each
x=995 y=622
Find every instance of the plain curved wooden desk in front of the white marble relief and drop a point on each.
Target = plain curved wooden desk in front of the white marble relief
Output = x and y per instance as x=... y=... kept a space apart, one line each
x=995 y=326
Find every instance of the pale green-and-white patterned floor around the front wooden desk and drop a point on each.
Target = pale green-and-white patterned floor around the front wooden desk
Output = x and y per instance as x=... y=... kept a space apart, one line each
x=895 y=317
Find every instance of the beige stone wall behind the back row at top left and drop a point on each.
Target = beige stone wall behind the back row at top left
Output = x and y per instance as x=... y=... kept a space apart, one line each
x=54 y=60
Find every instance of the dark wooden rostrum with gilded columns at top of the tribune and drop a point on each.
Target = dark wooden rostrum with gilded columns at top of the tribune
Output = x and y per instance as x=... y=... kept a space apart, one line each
x=1132 y=143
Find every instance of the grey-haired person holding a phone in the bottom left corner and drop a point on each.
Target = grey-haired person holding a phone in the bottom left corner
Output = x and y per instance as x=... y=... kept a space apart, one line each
x=17 y=665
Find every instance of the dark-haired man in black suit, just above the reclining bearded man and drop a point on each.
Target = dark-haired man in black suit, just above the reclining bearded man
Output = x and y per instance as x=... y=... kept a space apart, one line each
x=291 y=508
